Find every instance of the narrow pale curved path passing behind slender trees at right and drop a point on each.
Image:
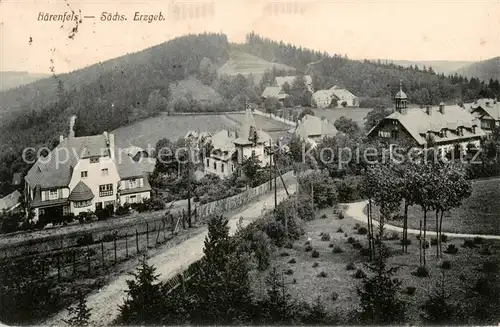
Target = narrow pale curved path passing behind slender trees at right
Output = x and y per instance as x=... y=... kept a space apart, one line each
x=356 y=211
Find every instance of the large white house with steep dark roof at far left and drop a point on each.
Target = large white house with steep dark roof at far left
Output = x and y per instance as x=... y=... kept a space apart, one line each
x=84 y=174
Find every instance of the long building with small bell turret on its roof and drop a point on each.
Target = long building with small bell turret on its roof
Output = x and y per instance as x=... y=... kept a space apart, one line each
x=444 y=127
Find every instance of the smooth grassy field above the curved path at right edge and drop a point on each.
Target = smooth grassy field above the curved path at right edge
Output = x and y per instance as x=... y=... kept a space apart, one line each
x=479 y=214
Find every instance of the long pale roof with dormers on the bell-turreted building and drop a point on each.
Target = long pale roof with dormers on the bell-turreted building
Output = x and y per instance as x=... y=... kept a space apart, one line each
x=417 y=122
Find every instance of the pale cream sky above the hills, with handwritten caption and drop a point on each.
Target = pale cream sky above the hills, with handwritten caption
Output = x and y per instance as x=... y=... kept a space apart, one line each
x=399 y=30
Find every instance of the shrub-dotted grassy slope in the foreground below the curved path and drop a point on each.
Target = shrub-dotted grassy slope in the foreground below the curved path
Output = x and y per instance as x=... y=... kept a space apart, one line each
x=305 y=283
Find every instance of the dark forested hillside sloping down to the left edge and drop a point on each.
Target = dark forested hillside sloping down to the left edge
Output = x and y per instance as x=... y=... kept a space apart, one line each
x=104 y=96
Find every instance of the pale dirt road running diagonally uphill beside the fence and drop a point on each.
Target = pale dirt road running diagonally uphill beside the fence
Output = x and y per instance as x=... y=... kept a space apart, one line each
x=105 y=302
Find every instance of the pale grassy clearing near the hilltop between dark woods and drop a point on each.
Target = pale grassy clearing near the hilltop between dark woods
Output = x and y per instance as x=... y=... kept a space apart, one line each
x=245 y=64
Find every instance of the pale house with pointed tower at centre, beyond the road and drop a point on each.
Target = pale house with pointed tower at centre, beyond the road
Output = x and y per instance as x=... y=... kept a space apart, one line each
x=232 y=148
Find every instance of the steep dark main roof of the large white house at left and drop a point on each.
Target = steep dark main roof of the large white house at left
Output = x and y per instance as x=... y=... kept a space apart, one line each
x=55 y=170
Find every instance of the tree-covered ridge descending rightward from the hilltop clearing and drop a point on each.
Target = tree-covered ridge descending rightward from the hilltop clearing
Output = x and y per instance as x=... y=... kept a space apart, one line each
x=372 y=79
